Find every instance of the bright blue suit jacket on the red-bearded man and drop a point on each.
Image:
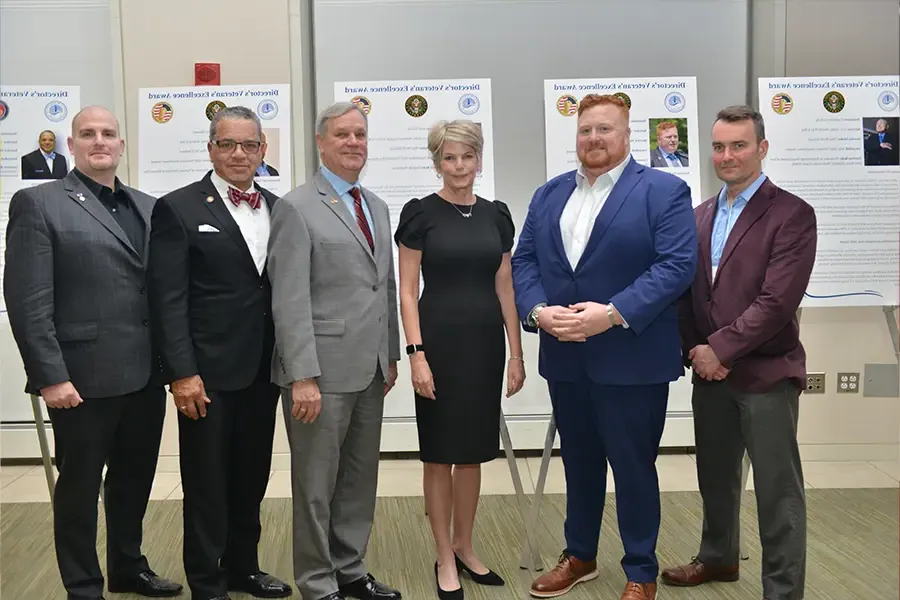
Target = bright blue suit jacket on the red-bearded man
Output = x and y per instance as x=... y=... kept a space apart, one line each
x=641 y=256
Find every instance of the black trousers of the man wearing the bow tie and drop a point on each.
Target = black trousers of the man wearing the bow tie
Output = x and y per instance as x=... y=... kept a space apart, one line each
x=226 y=458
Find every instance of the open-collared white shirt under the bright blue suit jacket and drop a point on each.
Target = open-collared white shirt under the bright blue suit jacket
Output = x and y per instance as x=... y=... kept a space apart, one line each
x=582 y=208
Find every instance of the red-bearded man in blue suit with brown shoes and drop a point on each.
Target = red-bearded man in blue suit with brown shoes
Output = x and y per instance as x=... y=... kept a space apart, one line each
x=603 y=256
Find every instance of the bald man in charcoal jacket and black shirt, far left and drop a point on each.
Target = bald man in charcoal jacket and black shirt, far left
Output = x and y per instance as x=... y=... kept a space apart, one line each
x=75 y=290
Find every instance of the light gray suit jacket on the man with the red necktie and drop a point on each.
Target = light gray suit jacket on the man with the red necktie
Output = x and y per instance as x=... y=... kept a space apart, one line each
x=334 y=303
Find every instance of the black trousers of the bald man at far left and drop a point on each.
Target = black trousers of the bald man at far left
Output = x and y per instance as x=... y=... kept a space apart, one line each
x=123 y=433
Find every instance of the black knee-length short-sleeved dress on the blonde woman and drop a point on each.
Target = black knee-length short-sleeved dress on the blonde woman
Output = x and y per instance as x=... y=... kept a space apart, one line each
x=461 y=323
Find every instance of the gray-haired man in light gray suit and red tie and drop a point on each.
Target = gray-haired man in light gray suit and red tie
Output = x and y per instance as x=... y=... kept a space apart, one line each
x=334 y=303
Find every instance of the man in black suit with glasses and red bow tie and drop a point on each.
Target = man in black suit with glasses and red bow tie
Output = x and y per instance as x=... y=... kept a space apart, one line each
x=211 y=302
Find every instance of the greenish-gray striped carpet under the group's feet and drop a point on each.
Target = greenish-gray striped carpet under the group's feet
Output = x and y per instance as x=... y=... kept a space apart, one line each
x=852 y=547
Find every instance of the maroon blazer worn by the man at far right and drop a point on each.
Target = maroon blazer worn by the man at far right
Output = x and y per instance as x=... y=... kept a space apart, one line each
x=748 y=315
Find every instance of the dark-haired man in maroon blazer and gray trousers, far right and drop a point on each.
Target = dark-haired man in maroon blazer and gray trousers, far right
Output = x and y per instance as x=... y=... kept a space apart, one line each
x=741 y=338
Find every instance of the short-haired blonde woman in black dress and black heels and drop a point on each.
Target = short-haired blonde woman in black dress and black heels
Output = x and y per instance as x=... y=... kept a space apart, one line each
x=456 y=341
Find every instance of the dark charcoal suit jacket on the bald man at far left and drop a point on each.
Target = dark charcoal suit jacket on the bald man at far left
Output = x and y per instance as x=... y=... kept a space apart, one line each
x=74 y=290
